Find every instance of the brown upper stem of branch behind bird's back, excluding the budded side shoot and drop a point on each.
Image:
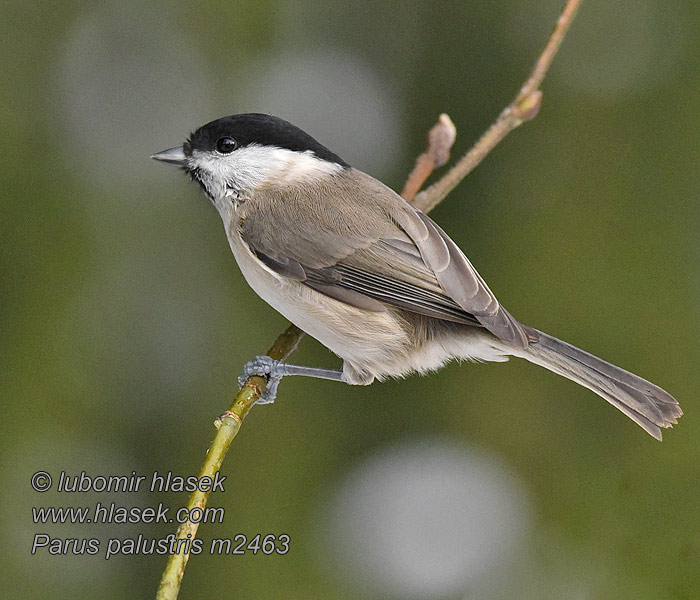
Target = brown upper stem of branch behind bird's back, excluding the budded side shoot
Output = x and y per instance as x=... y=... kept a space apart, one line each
x=525 y=107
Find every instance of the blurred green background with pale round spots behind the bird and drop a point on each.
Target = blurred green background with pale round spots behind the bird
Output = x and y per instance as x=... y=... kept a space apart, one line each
x=125 y=320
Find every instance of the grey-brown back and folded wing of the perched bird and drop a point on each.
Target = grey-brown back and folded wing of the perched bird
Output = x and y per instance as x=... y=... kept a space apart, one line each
x=385 y=254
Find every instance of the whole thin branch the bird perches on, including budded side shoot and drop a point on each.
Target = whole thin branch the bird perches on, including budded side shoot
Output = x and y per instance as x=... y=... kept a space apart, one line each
x=440 y=140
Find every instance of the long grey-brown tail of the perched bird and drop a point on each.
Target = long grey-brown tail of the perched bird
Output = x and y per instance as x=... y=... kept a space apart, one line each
x=643 y=402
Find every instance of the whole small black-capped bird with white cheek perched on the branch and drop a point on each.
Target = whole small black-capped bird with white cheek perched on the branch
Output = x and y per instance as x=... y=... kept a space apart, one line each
x=376 y=281
